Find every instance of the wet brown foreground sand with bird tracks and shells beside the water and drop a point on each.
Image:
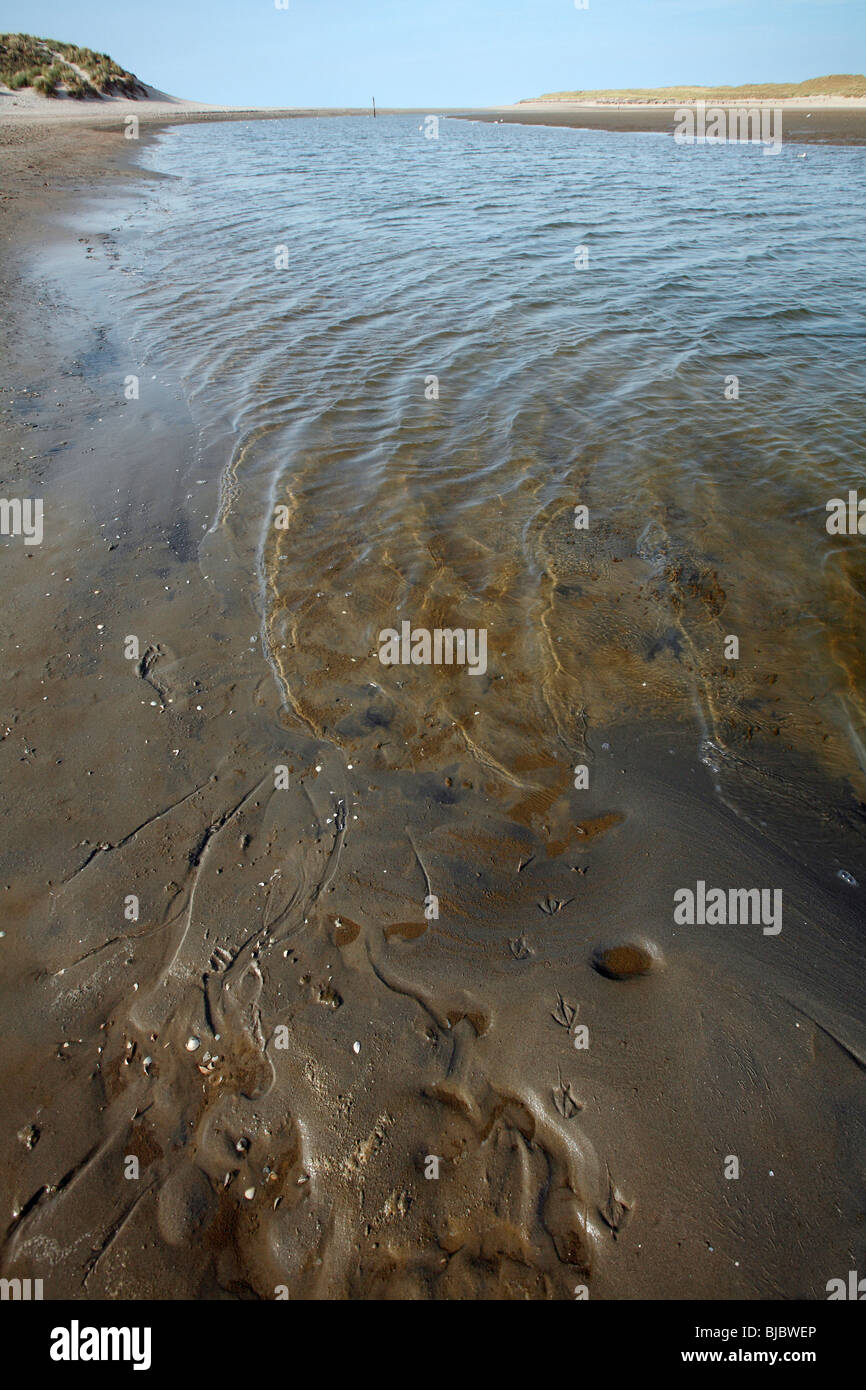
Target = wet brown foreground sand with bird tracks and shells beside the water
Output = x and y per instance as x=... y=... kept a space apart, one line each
x=405 y=1039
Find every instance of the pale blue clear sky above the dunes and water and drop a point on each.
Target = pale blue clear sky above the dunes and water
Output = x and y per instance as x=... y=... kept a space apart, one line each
x=446 y=54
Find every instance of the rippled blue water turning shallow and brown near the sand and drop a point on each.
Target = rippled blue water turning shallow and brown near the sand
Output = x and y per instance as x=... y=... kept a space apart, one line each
x=311 y=279
